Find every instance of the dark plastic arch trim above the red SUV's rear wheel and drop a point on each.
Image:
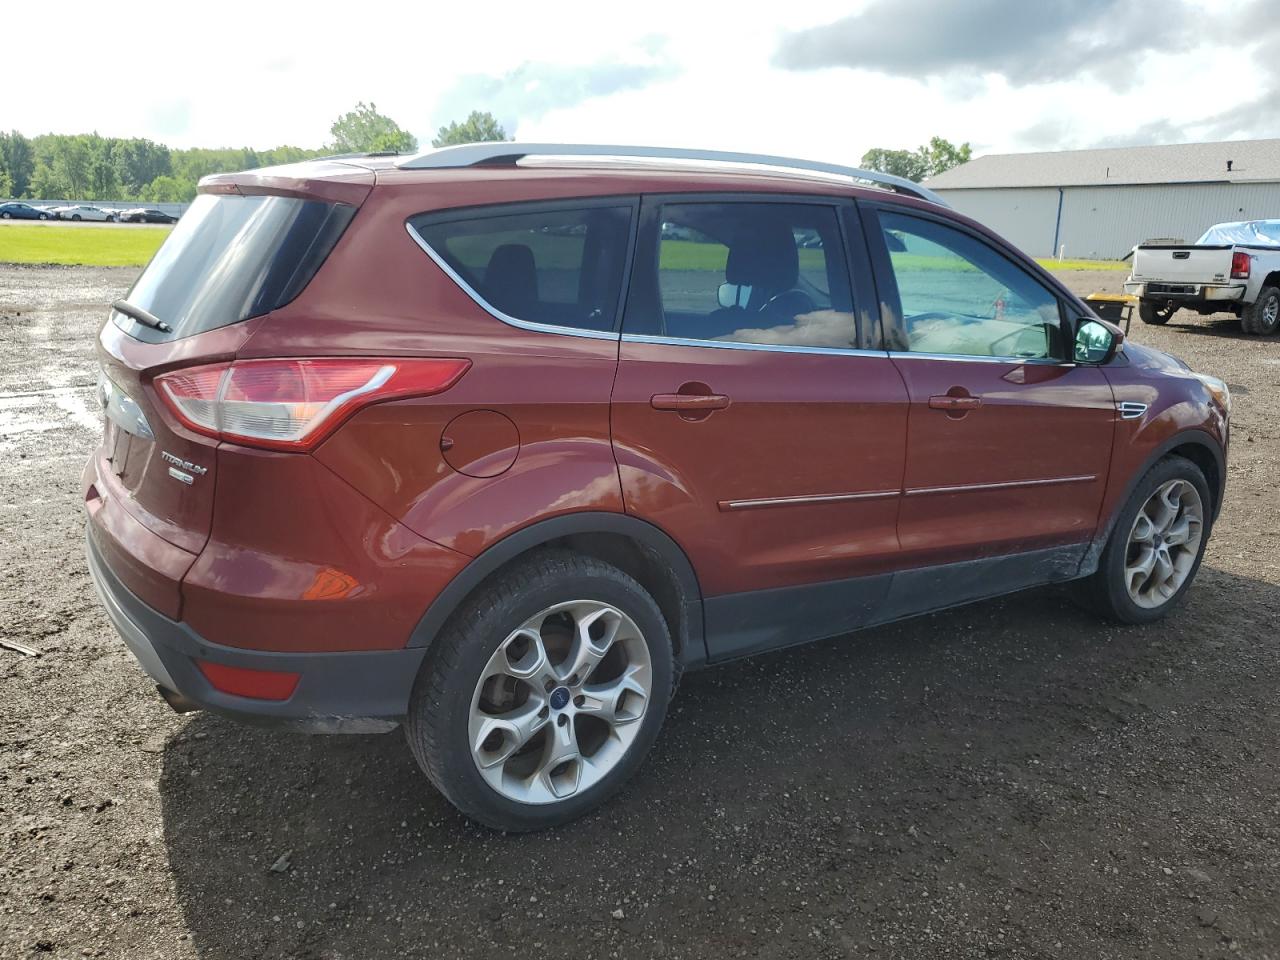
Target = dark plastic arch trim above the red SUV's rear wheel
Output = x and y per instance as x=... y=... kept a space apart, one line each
x=637 y=547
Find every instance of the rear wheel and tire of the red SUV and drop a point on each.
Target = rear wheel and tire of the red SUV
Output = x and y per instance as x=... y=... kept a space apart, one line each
x=543 y=694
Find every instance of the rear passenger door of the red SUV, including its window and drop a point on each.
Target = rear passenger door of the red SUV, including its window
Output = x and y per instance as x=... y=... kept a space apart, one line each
x=751 y=419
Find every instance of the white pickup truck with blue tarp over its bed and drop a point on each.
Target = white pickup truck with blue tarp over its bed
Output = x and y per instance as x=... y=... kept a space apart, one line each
x=1233 y=268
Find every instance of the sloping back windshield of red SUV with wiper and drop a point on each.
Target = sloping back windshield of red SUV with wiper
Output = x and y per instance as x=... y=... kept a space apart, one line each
x=232 y=258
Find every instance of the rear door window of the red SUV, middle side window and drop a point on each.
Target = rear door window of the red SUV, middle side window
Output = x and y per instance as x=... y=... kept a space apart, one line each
x=755 y=273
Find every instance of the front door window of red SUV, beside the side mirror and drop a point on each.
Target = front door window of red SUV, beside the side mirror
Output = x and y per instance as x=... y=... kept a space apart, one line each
x=961 y=298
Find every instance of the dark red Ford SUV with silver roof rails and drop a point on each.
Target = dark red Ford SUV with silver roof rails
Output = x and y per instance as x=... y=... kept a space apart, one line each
x=500 y=440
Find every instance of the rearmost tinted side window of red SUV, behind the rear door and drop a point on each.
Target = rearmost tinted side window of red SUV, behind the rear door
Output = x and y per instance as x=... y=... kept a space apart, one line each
x=561 y=267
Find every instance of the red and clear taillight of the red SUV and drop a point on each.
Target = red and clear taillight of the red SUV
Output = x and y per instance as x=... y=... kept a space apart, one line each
x=292 y=405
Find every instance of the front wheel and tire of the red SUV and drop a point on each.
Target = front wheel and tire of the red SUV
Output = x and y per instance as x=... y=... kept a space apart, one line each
x=1155 y=548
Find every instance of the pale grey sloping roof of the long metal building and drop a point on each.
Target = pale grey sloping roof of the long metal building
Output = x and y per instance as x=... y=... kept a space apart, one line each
x=1177 y=163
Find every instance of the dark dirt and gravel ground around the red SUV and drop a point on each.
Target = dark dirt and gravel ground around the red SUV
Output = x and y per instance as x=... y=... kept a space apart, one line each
x=1014 y=779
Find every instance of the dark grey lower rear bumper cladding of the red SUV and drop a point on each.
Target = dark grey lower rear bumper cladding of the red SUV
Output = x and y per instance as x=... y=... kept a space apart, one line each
x=339 y=693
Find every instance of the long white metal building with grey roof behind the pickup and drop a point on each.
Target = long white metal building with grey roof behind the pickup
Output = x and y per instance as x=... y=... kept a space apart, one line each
x=1098 y=204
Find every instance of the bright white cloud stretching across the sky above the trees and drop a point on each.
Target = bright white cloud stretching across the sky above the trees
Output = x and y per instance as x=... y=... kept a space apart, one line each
x=267 y=74
